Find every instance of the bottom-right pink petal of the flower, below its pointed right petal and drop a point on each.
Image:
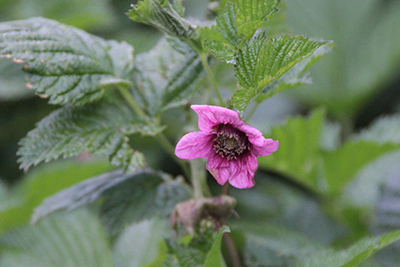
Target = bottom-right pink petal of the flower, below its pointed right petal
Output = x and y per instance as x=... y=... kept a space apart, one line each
x=242 y=172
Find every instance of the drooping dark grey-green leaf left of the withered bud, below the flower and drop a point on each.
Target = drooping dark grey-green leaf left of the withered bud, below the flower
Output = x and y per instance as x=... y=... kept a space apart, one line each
x=125 y=198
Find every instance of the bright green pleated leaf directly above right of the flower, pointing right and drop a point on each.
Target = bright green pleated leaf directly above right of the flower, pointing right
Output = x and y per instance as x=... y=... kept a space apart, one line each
x=262 y=61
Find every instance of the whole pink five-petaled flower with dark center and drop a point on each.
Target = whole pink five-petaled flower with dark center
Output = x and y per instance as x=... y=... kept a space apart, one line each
x=231 y=146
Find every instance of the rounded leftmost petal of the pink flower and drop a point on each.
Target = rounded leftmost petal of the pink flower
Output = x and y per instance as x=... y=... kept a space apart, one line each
x=195 y=145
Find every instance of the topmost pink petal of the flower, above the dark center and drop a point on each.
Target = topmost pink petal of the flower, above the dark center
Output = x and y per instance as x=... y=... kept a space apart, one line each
x=211 y=116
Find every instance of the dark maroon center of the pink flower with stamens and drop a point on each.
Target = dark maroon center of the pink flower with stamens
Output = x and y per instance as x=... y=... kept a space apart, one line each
x=230 y=142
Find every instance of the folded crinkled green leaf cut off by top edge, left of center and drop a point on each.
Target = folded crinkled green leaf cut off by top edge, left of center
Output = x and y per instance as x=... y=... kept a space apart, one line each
x=163 y=15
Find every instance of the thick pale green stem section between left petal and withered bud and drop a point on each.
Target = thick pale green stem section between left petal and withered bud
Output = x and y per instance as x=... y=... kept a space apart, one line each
x=199 y=179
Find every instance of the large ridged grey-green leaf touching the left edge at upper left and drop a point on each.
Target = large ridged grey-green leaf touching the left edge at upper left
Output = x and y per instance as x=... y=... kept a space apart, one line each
x=63 y=63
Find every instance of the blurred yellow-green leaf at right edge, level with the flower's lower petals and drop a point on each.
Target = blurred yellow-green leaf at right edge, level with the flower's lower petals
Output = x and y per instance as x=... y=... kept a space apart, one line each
x=342 y=165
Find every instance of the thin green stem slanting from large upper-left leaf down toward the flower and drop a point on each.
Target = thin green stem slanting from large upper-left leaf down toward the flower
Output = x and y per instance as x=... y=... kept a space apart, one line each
x=160 y=137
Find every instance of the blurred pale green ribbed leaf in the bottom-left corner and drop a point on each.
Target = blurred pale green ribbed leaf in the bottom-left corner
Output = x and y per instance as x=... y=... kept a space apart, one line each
x=75 y=239
